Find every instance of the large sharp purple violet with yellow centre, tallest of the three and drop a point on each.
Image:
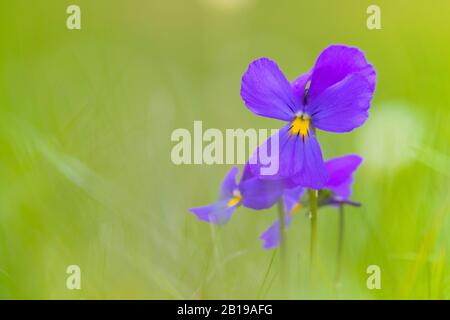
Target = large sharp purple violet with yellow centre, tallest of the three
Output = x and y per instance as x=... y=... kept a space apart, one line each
x=341 y=87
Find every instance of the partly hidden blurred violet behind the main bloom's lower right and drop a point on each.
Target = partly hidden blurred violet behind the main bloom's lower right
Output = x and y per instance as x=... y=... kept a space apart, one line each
x=340 y=171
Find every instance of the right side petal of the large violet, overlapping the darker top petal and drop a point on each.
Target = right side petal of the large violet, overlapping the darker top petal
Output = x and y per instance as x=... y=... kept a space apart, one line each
x=343 y=106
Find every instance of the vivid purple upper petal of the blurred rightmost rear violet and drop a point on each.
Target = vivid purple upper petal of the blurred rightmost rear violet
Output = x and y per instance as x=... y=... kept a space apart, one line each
x=340 y=171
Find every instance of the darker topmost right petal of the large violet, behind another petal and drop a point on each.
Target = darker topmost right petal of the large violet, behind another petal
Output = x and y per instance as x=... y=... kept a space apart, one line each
x=336 y=63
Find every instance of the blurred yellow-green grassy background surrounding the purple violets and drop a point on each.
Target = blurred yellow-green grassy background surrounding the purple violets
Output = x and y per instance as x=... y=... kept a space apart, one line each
x=86 y=176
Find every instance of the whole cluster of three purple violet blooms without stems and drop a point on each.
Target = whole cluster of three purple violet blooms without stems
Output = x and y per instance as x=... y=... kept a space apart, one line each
x=335 y=96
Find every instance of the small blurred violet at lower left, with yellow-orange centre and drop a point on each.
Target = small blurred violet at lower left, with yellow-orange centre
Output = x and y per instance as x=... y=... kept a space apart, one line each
x=251 y=192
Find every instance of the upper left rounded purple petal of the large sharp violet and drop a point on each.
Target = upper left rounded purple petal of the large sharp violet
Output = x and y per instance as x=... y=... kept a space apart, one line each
x=266 y=91
